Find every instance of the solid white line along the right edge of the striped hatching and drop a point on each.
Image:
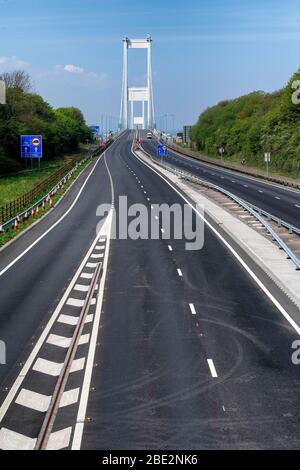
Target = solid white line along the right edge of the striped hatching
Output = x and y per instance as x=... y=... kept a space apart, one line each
x=79 y=426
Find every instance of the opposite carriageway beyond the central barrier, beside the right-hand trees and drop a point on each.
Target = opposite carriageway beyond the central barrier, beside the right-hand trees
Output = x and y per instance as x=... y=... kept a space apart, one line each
x=276 y=200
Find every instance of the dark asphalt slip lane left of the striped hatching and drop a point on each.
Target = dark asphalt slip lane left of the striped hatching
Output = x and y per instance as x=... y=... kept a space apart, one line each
x=31 y=288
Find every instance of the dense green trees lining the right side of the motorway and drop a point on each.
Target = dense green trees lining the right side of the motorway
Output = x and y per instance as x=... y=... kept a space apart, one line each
x=252 y=124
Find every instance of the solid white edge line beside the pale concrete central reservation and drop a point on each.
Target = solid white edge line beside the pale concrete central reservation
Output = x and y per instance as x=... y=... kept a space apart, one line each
x=231 y=249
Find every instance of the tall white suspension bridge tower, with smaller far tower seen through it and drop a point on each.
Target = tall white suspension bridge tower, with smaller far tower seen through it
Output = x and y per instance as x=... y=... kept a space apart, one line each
x=130 y=95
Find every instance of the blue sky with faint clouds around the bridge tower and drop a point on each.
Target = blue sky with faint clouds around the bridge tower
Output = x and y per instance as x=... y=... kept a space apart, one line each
x=204 y=51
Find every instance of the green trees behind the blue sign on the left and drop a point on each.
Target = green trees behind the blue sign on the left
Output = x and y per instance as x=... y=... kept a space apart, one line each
x=62 y=129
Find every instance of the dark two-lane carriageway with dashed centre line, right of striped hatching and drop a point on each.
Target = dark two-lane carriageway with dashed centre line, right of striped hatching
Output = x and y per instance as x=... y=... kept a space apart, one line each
x=155 y=383
